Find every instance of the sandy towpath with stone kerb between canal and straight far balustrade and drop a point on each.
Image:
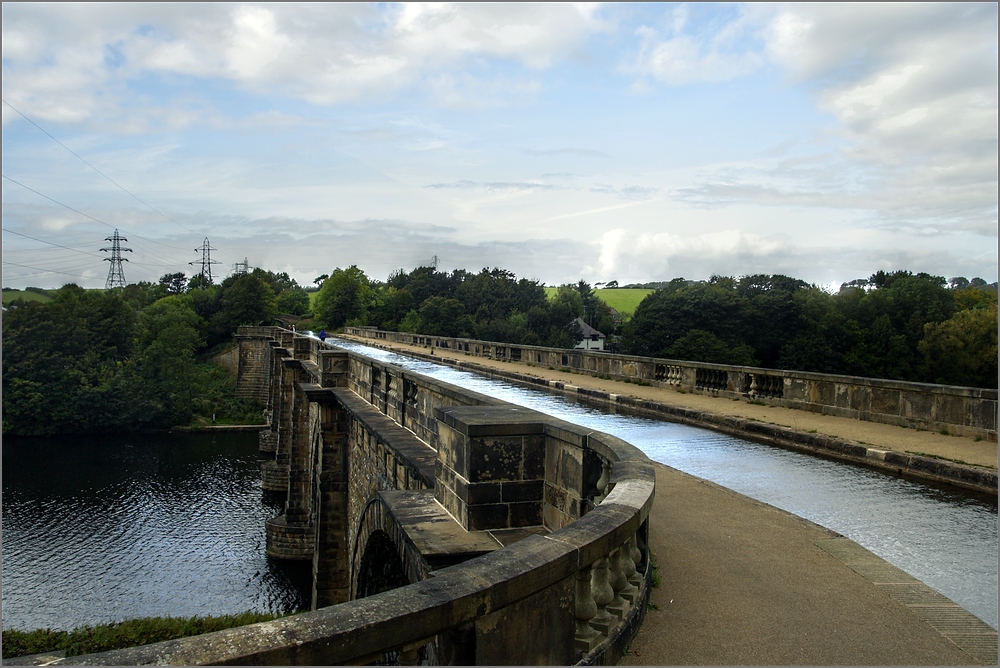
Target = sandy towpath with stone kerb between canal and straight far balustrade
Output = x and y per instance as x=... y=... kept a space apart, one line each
x=956 y=460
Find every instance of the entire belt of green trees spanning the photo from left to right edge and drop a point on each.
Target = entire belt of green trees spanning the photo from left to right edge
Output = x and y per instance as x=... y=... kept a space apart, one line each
x=132 y=357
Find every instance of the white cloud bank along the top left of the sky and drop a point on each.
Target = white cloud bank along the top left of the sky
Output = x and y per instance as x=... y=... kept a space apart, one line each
x=68 y=64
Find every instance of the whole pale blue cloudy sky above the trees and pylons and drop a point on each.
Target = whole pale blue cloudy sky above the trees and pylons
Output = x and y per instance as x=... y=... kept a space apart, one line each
x=563 y=142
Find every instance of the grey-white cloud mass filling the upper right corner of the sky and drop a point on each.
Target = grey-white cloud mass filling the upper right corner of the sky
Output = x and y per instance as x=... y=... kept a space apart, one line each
x=911 y=91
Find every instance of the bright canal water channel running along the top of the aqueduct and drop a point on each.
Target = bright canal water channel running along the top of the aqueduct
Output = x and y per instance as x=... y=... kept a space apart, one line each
x=940 y=535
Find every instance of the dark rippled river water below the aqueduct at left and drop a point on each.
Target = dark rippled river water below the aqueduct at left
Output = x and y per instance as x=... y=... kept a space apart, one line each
x=99 y=529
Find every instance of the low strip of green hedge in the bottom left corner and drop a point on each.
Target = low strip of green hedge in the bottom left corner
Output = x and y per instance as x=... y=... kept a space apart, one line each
x=130 y=633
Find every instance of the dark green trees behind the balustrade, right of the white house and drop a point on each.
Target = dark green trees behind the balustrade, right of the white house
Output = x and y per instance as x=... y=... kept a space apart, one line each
x=899 y=325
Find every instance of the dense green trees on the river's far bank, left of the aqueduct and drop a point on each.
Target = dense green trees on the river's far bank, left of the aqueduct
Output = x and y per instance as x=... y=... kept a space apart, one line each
x=128 y=359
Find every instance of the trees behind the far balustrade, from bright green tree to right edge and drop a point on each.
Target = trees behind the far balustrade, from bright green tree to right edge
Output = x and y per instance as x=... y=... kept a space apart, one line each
x=898 y=325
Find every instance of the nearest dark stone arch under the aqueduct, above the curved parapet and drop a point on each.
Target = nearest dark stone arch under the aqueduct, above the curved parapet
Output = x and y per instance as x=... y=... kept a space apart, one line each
x=382 y=553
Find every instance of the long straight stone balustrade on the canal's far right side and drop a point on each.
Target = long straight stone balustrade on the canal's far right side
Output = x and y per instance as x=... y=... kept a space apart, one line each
x=964 y=411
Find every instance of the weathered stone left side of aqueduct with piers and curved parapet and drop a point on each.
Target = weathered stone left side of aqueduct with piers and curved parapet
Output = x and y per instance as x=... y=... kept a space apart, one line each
x=443 y=526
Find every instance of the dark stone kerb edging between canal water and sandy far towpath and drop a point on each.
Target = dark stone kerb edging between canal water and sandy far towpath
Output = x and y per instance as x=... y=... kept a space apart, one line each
x=979 y=479
